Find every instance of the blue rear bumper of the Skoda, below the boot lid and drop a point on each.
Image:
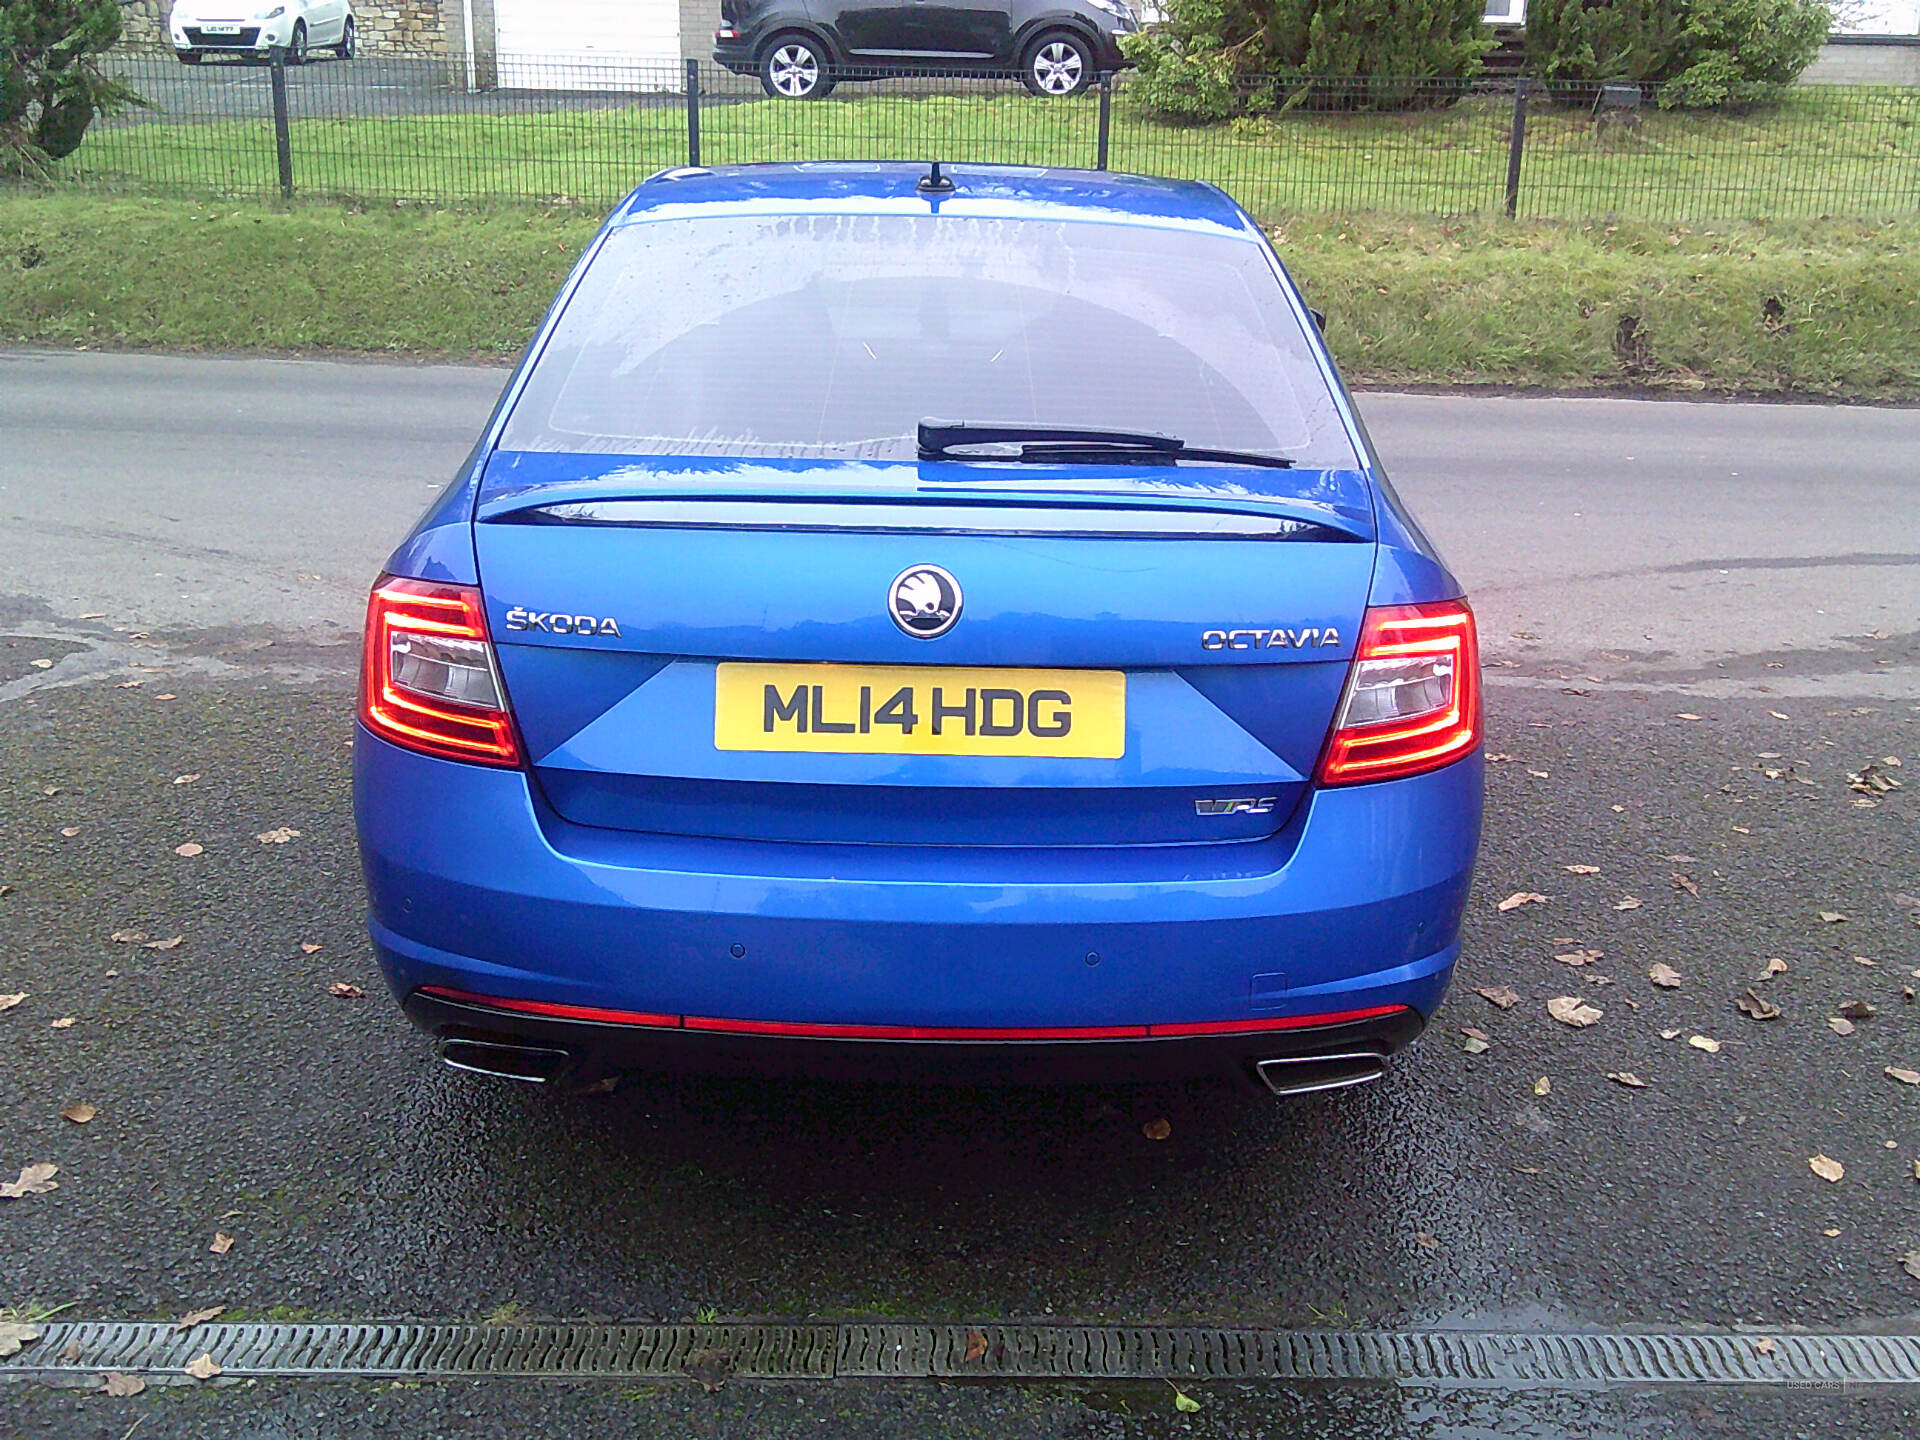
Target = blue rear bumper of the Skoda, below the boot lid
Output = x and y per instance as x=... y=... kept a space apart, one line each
x=479 y=888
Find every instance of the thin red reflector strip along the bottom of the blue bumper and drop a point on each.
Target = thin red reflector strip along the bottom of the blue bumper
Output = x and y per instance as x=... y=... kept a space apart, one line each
x=790 y=1028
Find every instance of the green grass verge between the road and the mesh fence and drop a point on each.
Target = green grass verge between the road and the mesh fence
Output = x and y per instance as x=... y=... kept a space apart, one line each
x=1806 y=308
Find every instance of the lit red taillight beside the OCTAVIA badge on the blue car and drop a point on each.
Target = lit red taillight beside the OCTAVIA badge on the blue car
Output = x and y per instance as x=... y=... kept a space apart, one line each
x=1414 y=698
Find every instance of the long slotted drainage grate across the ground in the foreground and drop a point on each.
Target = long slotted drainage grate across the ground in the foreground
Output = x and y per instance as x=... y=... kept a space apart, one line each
x=1011 y=1353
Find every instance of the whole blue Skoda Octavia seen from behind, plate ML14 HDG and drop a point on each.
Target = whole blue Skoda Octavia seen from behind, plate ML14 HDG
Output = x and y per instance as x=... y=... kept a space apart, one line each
x=923 y=623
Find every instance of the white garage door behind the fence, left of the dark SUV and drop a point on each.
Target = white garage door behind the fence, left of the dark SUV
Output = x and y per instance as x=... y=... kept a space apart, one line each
x=588 y=45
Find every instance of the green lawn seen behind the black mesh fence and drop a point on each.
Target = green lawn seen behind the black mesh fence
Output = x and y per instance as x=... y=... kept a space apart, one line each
x=1821 y=153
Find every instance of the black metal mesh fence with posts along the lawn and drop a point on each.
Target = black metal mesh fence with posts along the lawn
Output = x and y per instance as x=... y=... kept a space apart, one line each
x=571 y=132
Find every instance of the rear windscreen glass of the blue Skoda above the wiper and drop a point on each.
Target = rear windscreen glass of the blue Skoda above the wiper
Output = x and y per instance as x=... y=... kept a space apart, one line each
x=836 y=335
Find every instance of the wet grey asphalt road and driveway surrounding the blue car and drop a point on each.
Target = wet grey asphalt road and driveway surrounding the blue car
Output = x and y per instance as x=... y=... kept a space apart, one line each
x=195 y=579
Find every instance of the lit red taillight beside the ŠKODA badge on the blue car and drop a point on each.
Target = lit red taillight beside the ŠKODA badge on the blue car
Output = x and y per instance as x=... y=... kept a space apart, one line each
x=429 y=681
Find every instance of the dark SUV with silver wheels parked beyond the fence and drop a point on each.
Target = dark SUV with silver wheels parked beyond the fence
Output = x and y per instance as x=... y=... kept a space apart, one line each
x=802 y=49
